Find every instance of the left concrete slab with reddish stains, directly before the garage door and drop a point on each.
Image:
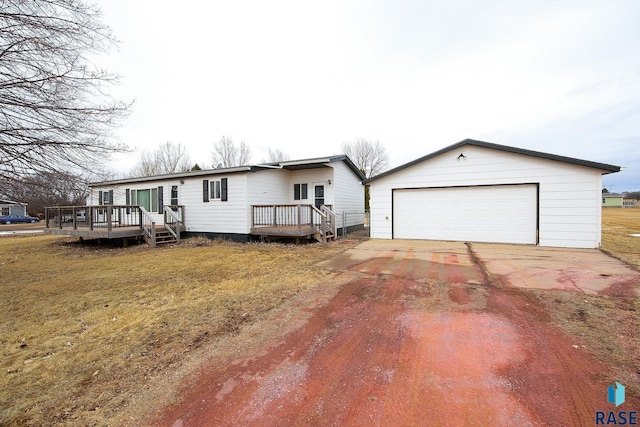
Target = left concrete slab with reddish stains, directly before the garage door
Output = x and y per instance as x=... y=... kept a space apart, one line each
x=416 y=259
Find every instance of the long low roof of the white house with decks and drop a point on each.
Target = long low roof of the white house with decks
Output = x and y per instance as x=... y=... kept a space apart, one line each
x=312 y=163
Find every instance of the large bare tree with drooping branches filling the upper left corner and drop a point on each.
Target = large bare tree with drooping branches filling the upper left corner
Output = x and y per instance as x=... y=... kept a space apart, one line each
x=54 y=112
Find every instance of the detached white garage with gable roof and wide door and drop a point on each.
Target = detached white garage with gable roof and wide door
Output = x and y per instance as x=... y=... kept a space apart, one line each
x=483 y=192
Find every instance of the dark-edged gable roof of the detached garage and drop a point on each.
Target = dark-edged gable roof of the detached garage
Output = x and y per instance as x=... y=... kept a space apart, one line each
x=602 y=166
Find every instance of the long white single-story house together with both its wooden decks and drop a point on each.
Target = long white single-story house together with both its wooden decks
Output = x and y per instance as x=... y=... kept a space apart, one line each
x=297 y=198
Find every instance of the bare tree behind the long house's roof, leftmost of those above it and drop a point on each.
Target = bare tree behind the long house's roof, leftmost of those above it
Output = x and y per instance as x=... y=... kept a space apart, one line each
x=167 y=158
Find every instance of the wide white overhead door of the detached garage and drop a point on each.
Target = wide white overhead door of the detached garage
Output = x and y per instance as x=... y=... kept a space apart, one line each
x=501 y=214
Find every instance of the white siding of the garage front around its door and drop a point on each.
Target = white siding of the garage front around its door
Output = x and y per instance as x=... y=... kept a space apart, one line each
x=570 y=195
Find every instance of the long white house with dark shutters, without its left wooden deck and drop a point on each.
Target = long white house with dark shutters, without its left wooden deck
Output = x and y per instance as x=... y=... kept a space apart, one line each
x=240 y=202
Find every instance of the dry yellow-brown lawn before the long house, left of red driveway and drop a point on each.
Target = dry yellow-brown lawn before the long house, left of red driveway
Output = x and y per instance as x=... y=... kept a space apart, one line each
x=86 y=329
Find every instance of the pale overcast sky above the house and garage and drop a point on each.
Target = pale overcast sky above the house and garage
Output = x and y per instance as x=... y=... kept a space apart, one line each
x=303 y=77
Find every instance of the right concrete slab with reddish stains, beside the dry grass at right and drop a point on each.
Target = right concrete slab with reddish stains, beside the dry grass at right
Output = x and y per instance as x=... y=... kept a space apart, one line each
x=587 y=271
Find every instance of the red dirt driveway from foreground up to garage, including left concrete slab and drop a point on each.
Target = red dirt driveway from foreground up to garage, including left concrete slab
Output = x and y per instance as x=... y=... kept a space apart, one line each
x=416 y=337
